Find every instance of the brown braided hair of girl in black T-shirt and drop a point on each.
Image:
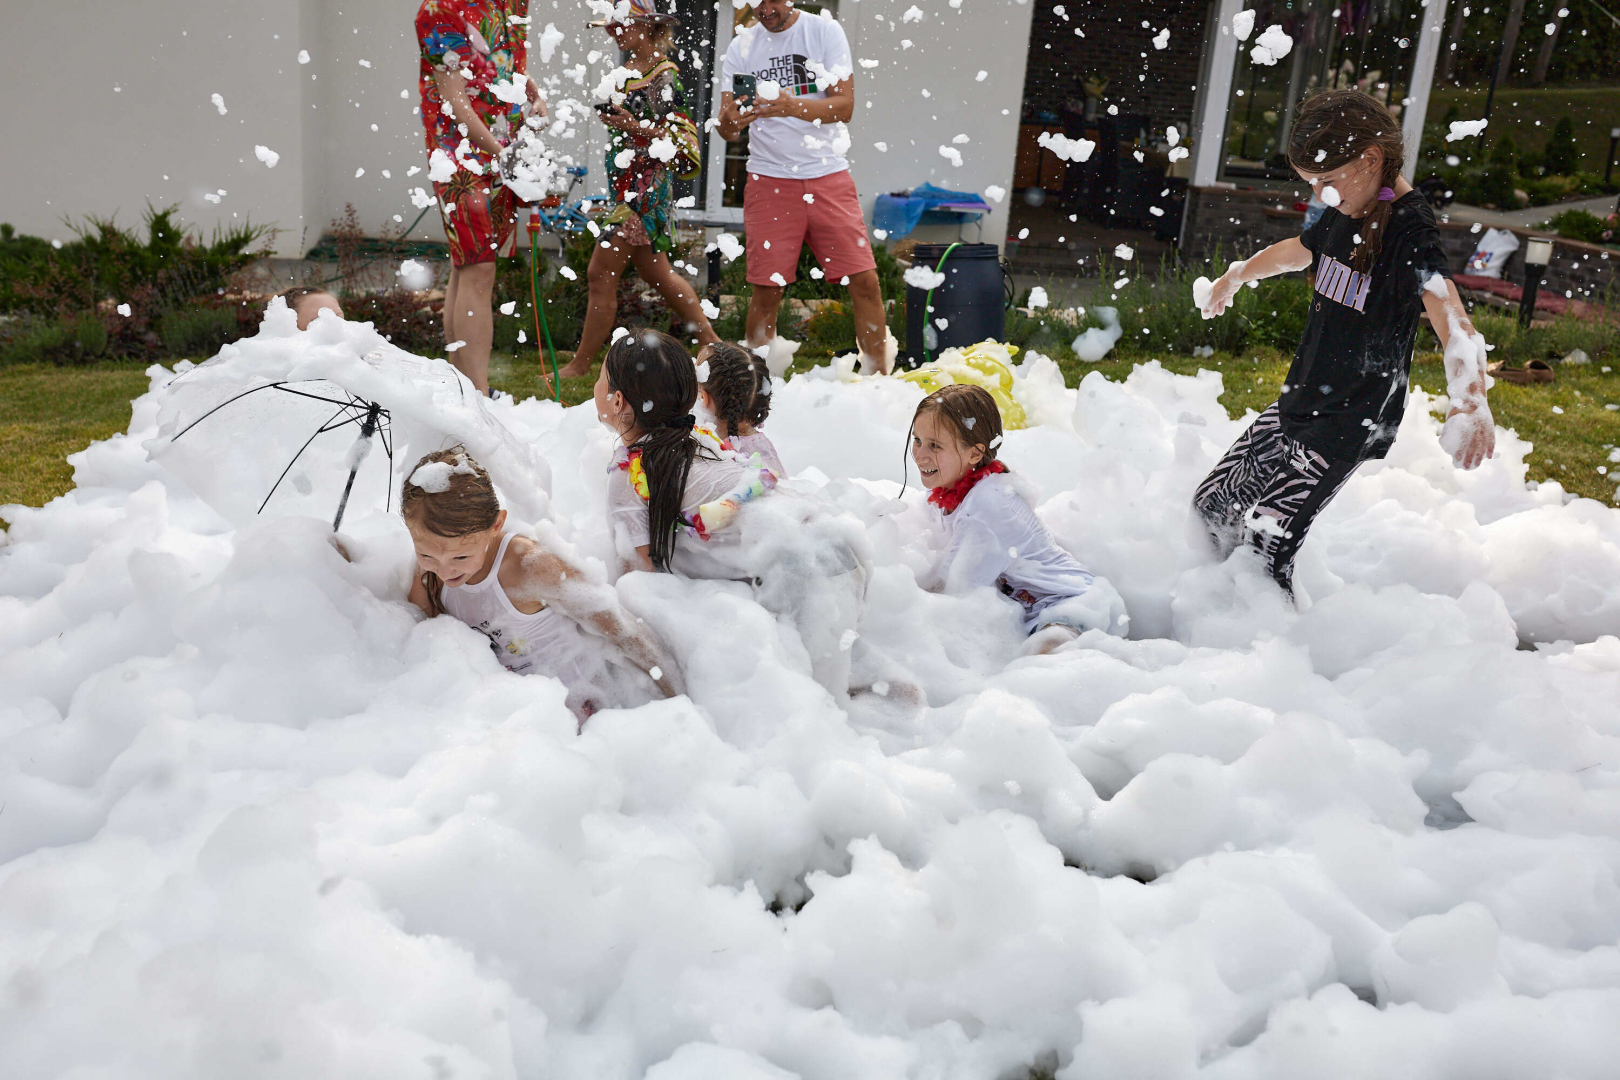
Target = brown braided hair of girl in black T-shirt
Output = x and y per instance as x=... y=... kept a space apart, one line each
x=1341 y=127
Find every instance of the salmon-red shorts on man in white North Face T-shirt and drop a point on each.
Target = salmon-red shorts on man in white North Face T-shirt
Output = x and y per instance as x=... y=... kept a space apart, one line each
x=778 y=219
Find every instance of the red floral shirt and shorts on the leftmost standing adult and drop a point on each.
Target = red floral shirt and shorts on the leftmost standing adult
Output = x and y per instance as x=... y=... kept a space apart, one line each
x=487 y=41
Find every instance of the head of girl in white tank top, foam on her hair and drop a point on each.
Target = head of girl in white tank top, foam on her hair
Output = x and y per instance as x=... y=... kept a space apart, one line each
x=454 y=519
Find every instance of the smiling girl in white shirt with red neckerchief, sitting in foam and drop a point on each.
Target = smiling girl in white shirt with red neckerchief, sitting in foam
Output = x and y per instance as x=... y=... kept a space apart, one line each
x=992 y=532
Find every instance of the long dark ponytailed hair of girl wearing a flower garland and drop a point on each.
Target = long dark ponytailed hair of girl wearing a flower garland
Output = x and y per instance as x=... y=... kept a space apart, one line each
x=655 y=373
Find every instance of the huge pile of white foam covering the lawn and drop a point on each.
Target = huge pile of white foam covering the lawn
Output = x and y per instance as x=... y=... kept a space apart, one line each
x=260 y=820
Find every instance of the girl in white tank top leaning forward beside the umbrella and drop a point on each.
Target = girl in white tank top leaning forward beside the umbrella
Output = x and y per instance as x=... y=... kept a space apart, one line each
x=544 y=613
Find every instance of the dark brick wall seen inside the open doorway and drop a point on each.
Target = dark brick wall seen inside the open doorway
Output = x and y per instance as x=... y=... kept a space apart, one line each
x=1114 y=46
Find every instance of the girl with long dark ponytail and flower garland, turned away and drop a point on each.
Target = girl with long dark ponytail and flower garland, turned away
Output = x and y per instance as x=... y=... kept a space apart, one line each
x=681 y=500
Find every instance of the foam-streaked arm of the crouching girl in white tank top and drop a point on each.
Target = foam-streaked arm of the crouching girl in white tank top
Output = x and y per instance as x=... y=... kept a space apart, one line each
x=545 y=577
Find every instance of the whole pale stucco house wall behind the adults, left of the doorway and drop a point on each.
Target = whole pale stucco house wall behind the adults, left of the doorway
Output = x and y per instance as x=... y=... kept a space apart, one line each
x=134 y=108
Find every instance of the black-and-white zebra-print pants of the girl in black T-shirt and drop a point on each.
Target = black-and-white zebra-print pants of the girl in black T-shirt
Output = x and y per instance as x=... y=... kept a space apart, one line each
x=1266 y=493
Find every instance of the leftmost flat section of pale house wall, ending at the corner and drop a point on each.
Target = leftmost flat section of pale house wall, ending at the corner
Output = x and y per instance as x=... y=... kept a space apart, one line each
x=98 y=127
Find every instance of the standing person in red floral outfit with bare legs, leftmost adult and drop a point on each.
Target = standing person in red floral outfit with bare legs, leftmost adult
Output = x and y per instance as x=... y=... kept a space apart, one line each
x=475 y=91
